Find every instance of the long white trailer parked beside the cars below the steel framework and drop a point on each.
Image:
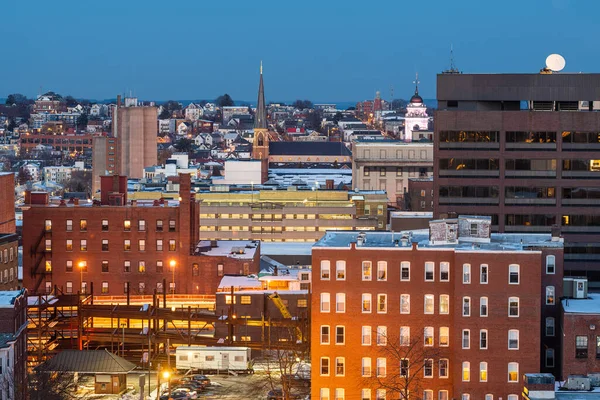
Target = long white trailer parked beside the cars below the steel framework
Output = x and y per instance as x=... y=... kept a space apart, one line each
x=213 y=359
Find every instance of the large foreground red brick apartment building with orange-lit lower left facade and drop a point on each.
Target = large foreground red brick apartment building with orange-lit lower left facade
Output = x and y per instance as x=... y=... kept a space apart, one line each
x=465 y=305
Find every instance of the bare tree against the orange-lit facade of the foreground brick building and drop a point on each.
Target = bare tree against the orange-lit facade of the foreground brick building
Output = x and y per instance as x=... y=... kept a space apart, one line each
x=408 y=360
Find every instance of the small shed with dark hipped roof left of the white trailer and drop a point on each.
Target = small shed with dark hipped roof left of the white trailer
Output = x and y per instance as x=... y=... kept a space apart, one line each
x=109 y=370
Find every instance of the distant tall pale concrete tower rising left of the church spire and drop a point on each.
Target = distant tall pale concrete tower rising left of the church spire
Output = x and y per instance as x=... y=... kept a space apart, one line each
x=136 y=131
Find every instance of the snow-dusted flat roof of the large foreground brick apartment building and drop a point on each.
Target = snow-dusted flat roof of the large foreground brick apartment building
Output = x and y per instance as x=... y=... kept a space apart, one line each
x=498 y=241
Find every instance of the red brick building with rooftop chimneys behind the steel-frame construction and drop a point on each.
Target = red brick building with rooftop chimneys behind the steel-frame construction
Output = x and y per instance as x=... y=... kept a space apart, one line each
x=113 y=245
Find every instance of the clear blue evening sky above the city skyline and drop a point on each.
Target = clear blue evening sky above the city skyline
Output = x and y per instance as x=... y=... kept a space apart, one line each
x=324 y=50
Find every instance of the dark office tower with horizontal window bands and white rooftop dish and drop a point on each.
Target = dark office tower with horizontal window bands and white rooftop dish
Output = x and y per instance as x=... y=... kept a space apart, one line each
x=525 y=149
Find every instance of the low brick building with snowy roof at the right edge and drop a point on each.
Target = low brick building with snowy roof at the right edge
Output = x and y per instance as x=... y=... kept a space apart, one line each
x=578 y=330
